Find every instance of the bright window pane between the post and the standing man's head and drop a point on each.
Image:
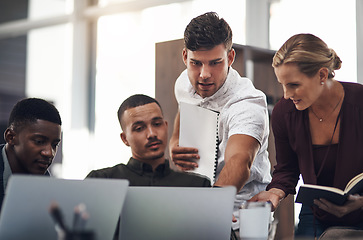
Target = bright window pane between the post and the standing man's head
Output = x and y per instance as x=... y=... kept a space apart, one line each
x=126 y=61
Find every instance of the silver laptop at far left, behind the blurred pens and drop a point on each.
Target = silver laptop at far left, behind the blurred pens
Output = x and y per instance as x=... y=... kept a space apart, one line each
x=25 y=214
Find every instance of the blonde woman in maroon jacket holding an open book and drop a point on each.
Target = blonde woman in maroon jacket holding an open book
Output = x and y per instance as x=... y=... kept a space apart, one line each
x=318 y=129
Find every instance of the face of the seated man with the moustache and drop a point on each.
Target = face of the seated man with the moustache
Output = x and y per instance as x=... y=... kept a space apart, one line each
x=146 y=132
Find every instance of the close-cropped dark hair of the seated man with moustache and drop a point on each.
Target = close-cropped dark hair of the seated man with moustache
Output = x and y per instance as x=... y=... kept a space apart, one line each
x=134 y=101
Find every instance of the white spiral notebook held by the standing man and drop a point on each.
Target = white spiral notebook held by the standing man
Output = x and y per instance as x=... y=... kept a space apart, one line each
x=199 y=129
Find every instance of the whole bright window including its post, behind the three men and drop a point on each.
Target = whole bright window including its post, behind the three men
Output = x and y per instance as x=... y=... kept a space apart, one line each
x=125 y=64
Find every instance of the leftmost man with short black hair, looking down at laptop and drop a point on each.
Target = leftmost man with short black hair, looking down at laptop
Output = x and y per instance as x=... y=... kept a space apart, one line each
x=32 y=138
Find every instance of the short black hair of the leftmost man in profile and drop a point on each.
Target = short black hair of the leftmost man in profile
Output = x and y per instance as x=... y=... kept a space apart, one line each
x=30 y=110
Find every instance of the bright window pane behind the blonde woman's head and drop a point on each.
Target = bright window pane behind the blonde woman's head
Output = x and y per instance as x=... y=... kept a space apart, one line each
x=334 y=21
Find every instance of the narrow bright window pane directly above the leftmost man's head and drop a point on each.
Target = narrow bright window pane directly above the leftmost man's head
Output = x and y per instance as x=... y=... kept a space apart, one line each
x=48 y=74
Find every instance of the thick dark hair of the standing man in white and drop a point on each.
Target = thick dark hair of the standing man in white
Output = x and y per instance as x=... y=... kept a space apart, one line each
x=207 y=31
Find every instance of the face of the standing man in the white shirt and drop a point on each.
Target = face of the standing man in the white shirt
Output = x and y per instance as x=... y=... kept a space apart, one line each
x=208 y=69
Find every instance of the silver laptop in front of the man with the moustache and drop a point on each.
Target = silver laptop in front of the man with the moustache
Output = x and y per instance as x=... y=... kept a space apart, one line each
x=158 y=213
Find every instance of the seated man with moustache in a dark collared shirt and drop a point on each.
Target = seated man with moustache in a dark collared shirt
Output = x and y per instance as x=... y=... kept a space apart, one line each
x=145 y=131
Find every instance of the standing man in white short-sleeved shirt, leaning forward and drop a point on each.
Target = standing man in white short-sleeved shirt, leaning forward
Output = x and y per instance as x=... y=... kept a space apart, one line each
x=210 y=82
